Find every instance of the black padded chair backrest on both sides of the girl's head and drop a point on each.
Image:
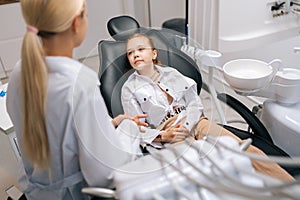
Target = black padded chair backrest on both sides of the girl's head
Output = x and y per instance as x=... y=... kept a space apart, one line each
x=115 y=68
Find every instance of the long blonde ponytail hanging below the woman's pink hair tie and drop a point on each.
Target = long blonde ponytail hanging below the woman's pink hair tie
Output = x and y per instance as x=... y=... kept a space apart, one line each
x=34 y=88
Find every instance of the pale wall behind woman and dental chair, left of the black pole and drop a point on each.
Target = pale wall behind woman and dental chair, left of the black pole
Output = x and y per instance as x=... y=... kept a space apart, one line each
x=98 y=13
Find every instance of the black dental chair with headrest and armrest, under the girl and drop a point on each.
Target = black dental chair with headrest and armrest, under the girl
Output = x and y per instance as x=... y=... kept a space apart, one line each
x=114 y=70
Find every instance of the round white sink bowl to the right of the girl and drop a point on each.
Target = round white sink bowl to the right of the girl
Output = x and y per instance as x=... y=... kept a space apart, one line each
x=247 y=74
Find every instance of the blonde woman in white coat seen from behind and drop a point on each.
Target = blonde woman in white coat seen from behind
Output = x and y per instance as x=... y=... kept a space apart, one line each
x=66 y=137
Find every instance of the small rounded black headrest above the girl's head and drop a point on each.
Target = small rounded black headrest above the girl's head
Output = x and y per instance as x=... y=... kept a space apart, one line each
x=121 y=27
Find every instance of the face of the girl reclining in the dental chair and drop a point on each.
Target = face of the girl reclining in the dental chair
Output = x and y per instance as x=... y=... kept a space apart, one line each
x=140 y=53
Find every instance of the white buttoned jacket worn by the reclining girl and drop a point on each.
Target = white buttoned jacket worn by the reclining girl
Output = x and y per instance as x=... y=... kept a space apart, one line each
x=141 y=95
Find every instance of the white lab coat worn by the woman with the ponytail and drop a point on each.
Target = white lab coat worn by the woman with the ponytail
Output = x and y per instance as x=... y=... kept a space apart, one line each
x=84 y=145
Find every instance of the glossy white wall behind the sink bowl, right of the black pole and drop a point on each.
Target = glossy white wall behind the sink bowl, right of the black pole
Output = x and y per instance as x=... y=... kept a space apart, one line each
x=240 y=32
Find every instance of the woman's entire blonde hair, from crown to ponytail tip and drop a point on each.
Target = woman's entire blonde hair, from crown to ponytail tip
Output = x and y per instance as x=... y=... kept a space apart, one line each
x=48 y=17
